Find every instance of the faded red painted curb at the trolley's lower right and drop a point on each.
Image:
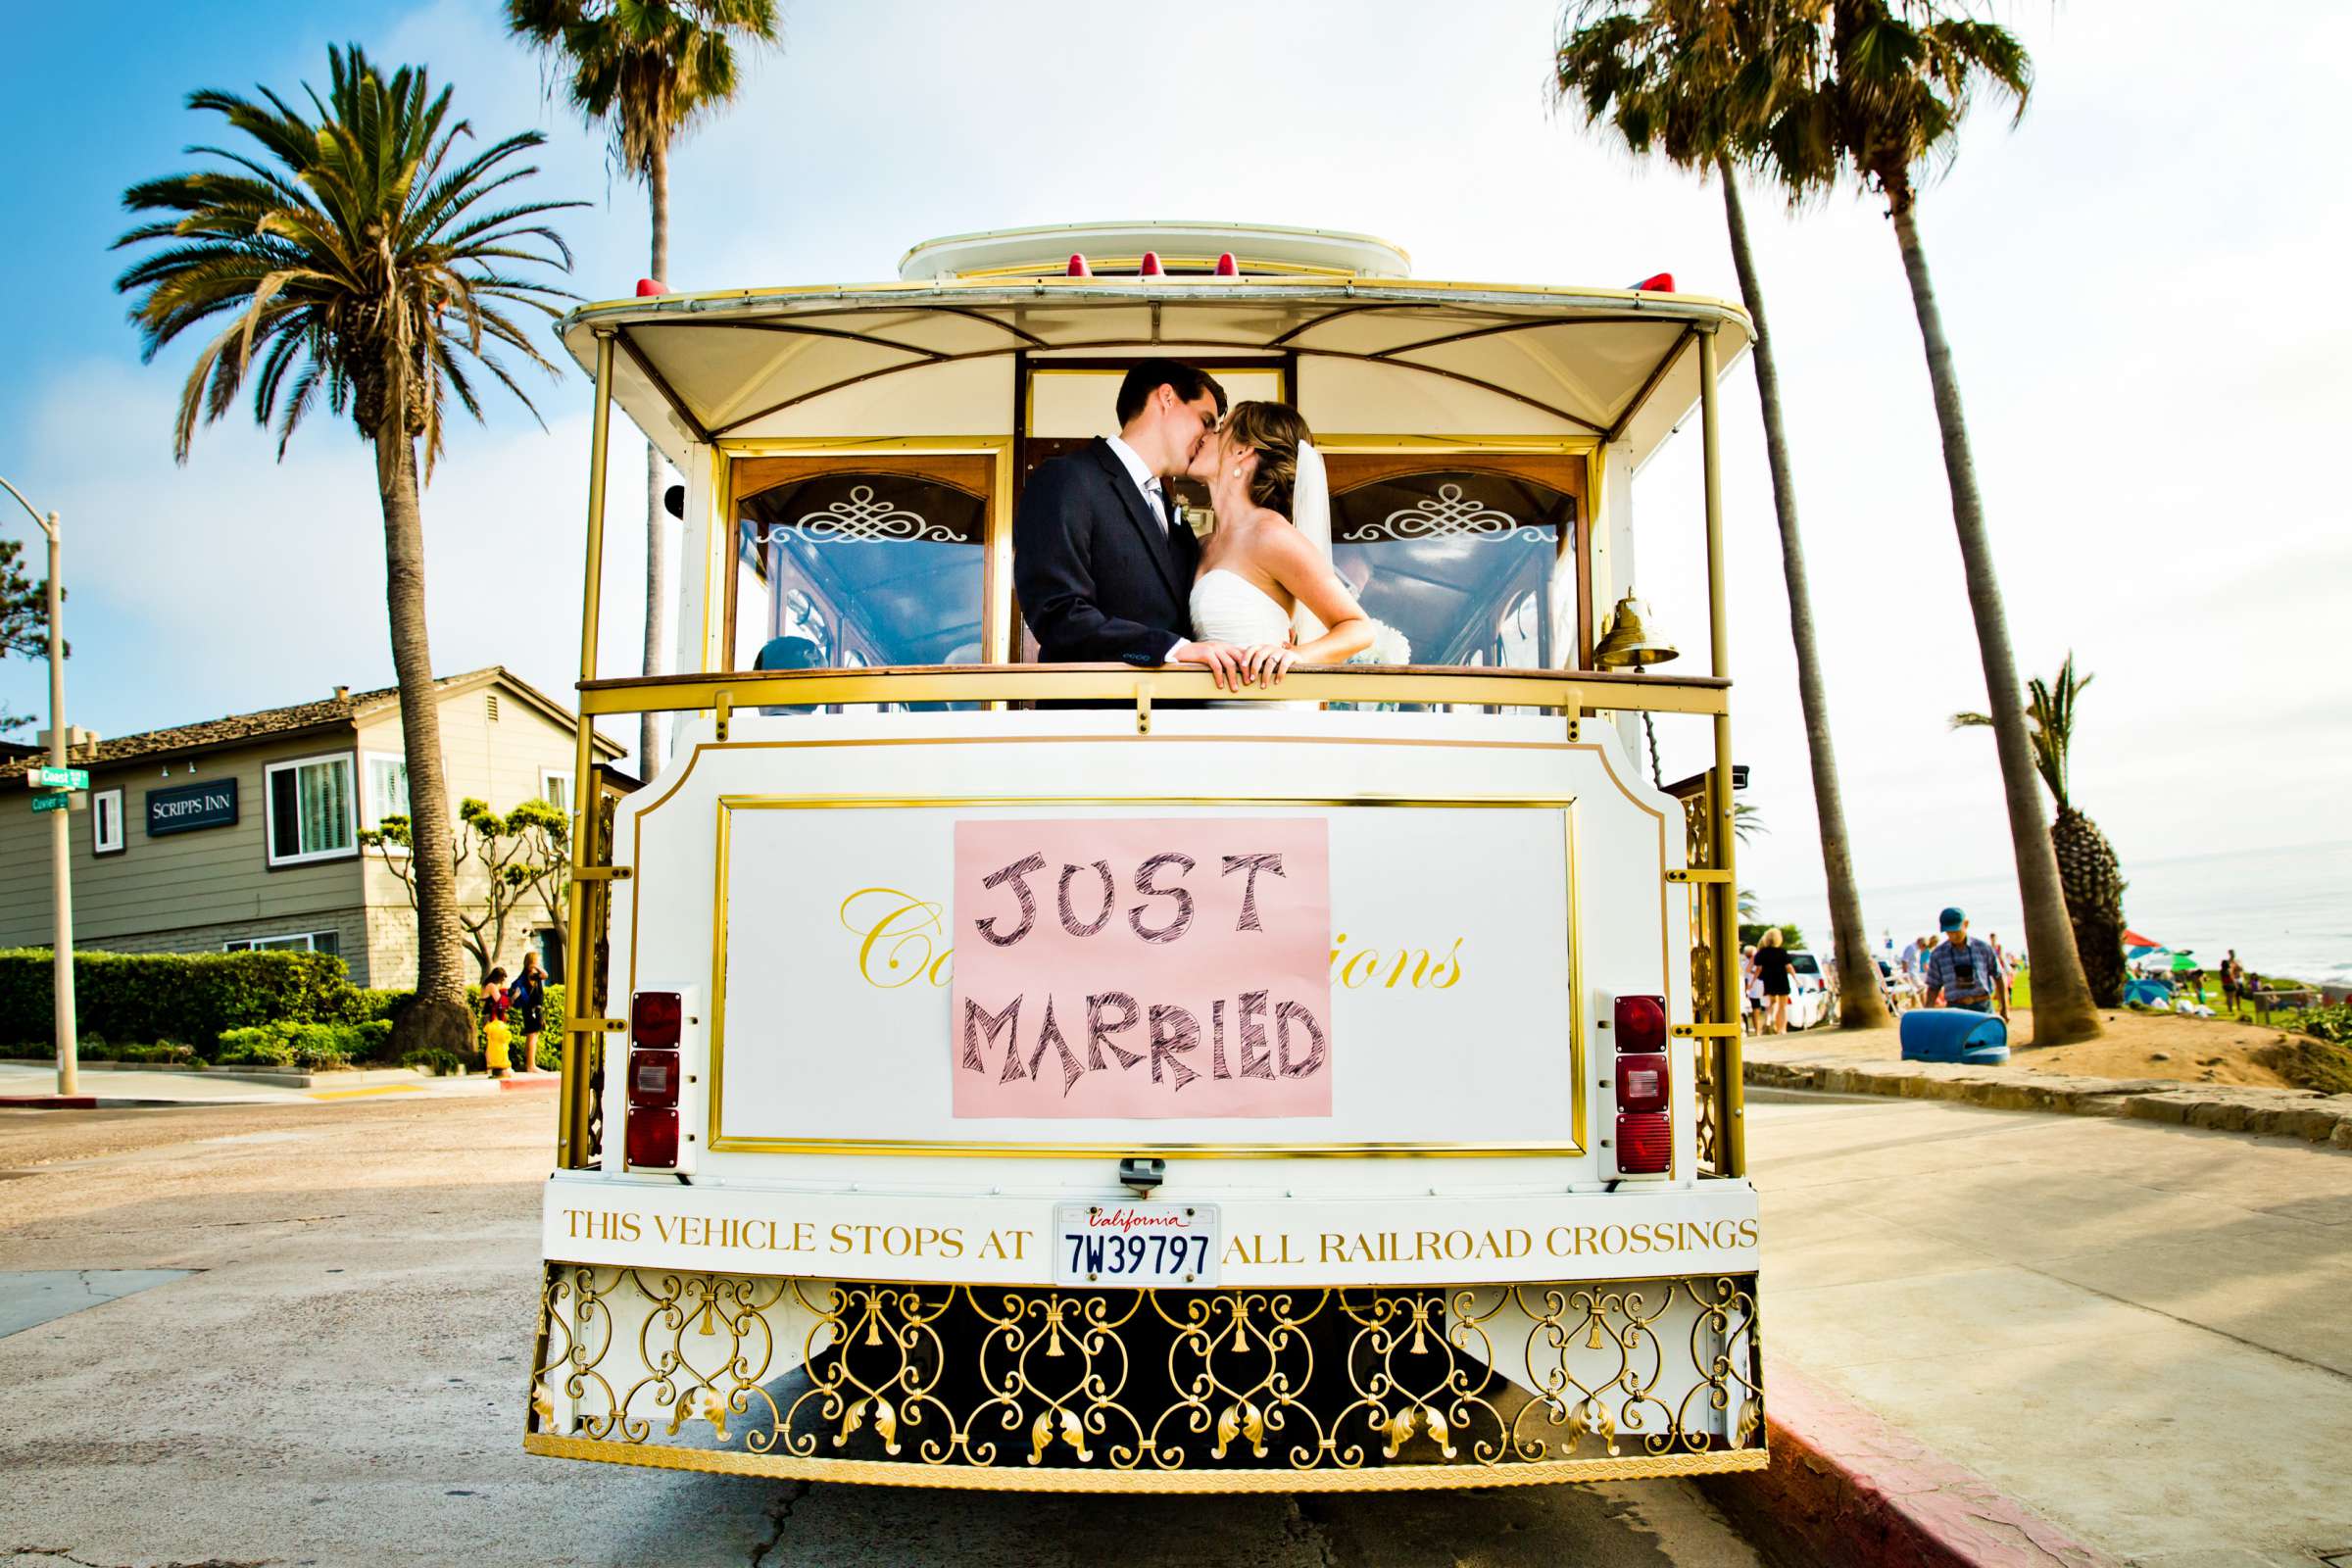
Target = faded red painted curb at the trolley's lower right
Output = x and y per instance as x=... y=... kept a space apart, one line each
x=1852 y=1492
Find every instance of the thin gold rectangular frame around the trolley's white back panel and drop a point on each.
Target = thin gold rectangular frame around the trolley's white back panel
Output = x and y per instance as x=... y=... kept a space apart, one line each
x=719 y=1141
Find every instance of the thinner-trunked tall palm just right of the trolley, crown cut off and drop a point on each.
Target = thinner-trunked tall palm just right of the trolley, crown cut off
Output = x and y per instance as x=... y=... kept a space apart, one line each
x=1699 y=81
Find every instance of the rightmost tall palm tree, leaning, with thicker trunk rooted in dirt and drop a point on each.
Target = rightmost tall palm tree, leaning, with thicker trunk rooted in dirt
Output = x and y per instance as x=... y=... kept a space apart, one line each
x=1902 y=76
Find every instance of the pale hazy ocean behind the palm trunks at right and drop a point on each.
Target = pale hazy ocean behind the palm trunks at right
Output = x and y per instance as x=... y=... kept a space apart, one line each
x=2287 y=911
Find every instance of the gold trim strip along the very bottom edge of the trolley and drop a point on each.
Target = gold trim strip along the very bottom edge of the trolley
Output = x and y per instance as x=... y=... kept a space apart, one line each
x=1071 y=1480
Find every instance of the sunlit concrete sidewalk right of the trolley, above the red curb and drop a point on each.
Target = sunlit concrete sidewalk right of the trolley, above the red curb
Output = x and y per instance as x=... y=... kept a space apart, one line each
x=2141 y=1332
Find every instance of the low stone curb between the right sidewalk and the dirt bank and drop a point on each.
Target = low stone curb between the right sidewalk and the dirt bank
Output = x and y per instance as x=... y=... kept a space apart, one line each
x=2236 y=1108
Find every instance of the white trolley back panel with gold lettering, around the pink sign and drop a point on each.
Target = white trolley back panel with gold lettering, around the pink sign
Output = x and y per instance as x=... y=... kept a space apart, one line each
x=1450 y=965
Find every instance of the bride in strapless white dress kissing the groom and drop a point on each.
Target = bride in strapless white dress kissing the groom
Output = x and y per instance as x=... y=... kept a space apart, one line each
x=1267 y=589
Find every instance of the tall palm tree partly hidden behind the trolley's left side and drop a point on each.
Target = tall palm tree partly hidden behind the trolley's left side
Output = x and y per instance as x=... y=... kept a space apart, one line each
x=650 y=69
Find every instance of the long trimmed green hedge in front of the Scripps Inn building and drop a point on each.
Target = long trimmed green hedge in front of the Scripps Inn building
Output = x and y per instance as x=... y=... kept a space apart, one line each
x=189 y=998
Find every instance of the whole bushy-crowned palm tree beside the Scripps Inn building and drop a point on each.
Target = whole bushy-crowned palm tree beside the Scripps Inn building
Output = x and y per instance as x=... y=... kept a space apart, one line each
x=356 y=260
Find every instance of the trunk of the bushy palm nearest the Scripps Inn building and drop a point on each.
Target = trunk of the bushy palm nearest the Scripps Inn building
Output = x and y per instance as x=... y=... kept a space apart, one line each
x=439 y=1017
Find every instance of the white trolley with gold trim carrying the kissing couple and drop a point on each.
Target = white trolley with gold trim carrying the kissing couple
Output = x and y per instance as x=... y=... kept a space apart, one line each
x=1450 y=1195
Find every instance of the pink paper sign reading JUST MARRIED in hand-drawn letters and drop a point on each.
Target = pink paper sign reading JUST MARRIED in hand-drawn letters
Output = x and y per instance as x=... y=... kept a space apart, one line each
x=1116 y=967
